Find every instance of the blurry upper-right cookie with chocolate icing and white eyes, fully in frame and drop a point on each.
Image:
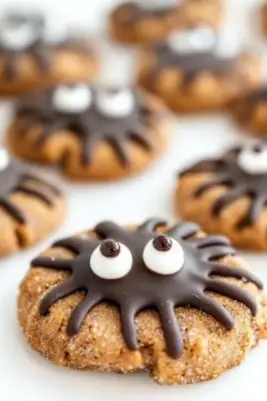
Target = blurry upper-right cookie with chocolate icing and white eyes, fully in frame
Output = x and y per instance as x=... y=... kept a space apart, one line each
x=190 y=74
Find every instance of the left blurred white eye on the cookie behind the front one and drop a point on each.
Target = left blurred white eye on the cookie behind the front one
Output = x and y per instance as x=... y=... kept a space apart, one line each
x=72 y=99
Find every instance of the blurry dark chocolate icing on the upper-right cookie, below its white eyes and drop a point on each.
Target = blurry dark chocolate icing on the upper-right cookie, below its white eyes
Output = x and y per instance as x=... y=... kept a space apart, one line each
x=191 y=64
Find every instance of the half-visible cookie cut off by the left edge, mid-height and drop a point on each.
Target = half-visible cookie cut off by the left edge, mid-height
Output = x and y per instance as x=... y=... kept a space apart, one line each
x=30 y=207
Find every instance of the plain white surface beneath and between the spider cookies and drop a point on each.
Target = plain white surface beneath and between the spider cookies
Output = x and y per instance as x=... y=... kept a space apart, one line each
x=24 y=375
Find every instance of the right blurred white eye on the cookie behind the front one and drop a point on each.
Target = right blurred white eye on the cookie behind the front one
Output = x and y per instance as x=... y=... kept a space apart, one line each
x=115 y=103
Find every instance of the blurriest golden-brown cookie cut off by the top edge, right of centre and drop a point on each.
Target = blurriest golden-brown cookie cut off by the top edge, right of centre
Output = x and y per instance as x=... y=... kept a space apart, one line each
x=152 y=21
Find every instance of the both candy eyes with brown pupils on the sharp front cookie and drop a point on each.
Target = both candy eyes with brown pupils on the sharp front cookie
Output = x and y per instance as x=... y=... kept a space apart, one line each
x=113 y=260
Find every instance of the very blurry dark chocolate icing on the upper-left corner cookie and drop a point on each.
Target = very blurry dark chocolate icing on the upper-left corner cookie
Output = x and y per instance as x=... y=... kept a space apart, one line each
x=41 y=52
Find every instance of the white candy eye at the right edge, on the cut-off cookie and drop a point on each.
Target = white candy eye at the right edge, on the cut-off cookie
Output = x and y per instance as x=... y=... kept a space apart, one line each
x=253 y=159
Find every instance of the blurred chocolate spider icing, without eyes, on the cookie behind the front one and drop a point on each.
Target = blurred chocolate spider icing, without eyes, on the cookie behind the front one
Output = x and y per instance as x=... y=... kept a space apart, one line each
x=90 y=126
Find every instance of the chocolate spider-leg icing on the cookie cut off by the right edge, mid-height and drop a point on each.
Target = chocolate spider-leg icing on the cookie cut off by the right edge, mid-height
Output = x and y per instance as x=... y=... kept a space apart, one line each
x=226 y=171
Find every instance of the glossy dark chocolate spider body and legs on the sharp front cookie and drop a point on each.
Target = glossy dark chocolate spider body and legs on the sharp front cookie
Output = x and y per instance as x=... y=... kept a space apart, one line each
x=142 y=288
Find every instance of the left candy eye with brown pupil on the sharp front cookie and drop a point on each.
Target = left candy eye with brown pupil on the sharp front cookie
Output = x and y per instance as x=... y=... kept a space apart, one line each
x=111 y=260
